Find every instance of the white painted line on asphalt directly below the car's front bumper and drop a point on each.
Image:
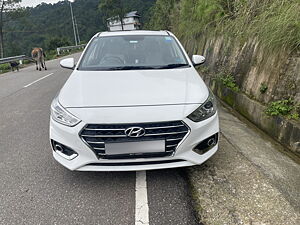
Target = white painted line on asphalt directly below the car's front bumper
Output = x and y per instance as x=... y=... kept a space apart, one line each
x=141 y=199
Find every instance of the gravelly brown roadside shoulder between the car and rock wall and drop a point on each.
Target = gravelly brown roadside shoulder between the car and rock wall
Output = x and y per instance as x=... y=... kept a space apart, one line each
x=248 y=181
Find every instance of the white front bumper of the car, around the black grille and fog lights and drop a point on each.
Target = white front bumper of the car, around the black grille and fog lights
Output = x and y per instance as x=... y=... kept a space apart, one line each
x=88 y=161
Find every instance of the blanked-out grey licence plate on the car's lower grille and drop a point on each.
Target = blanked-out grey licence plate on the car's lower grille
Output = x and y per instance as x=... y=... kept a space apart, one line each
x=142 y=147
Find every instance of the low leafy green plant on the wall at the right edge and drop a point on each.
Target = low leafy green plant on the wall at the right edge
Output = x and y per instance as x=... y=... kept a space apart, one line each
x=285 y=107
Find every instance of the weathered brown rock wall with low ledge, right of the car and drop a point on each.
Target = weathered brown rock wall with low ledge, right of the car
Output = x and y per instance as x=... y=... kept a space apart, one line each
x=252 y=67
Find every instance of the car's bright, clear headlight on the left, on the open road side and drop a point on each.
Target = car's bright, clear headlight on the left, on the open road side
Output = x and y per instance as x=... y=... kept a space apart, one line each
x=61 y=115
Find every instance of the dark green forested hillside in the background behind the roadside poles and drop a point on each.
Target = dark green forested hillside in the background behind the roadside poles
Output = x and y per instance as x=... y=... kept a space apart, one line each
x=48 y=25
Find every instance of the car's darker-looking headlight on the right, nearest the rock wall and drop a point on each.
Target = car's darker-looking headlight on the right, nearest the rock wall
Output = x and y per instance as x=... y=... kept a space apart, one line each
x=206 y=110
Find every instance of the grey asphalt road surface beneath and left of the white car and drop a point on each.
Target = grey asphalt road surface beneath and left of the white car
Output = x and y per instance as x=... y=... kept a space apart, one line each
x=34 y=189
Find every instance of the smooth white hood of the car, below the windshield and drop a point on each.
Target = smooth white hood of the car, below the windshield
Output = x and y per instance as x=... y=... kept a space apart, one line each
x=133 y=88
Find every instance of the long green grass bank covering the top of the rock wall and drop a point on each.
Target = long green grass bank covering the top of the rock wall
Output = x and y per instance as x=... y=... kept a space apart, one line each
x=275 y=23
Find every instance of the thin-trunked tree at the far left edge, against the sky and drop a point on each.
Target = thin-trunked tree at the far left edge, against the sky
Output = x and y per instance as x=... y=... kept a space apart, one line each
x=8 y=9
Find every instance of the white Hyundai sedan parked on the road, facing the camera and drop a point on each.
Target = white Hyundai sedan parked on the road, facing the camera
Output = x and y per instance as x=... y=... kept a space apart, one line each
x=133 y=102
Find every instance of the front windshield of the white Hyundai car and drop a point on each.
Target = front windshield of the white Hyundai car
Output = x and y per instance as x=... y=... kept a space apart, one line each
x=133 y=52
